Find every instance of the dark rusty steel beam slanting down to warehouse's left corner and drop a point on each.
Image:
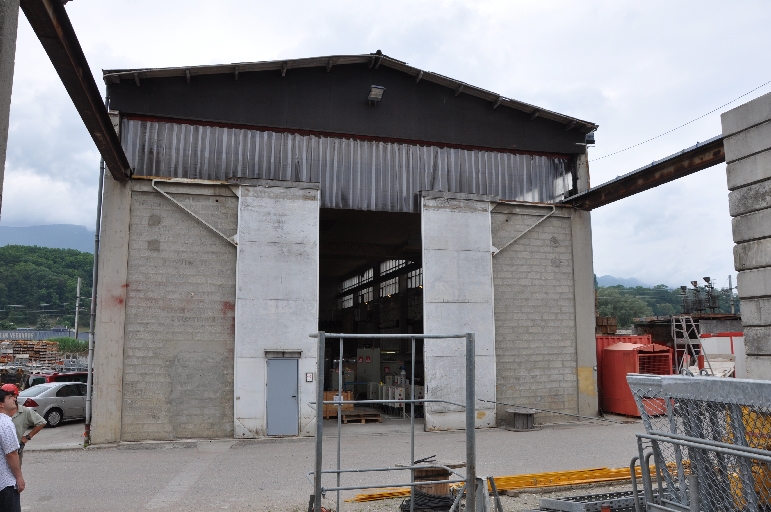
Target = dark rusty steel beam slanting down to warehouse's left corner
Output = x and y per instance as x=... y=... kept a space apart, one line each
x=52 y=26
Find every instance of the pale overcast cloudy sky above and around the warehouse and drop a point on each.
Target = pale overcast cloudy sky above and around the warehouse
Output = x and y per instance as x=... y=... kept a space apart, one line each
x=637 y=69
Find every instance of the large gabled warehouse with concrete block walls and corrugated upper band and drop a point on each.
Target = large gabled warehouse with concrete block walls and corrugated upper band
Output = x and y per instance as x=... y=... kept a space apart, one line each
x=349 y=194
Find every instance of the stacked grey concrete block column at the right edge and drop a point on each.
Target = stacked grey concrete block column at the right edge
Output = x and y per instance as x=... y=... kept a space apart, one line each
x=747 y=136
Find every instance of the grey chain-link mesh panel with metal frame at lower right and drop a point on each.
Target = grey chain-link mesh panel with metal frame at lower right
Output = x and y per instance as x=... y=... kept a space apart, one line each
x=710 y=440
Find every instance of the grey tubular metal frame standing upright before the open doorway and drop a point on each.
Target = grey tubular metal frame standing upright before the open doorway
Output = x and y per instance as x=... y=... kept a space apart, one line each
x=470 y=477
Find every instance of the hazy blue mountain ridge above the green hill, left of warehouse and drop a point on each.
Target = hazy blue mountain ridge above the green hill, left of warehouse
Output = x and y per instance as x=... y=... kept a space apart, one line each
x=55 y=236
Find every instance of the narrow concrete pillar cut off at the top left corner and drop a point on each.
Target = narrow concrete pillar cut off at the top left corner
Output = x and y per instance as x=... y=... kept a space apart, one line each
x=9 y=22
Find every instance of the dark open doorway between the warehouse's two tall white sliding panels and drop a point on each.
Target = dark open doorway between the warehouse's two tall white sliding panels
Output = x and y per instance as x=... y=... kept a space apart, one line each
x=371 y=282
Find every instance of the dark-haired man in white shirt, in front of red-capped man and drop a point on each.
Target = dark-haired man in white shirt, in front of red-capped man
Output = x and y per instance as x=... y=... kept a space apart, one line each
x=11 y=480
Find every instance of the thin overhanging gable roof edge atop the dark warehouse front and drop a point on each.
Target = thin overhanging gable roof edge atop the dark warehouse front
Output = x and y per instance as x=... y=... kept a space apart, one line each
x=373 y=60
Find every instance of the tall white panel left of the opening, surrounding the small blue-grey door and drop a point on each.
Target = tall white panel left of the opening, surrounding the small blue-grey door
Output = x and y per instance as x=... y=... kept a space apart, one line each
x=277 y=296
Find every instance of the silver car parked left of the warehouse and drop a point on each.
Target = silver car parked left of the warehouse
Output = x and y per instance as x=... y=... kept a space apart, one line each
x=56 y=401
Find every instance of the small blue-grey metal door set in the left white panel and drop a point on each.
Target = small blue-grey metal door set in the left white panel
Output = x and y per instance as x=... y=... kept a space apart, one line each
x=282 y=407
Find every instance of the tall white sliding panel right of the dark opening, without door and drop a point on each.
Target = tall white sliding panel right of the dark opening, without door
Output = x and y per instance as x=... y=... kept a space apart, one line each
x=458 y=298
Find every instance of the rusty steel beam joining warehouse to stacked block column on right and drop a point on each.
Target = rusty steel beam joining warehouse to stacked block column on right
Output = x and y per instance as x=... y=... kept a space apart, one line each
x=702 y=155
